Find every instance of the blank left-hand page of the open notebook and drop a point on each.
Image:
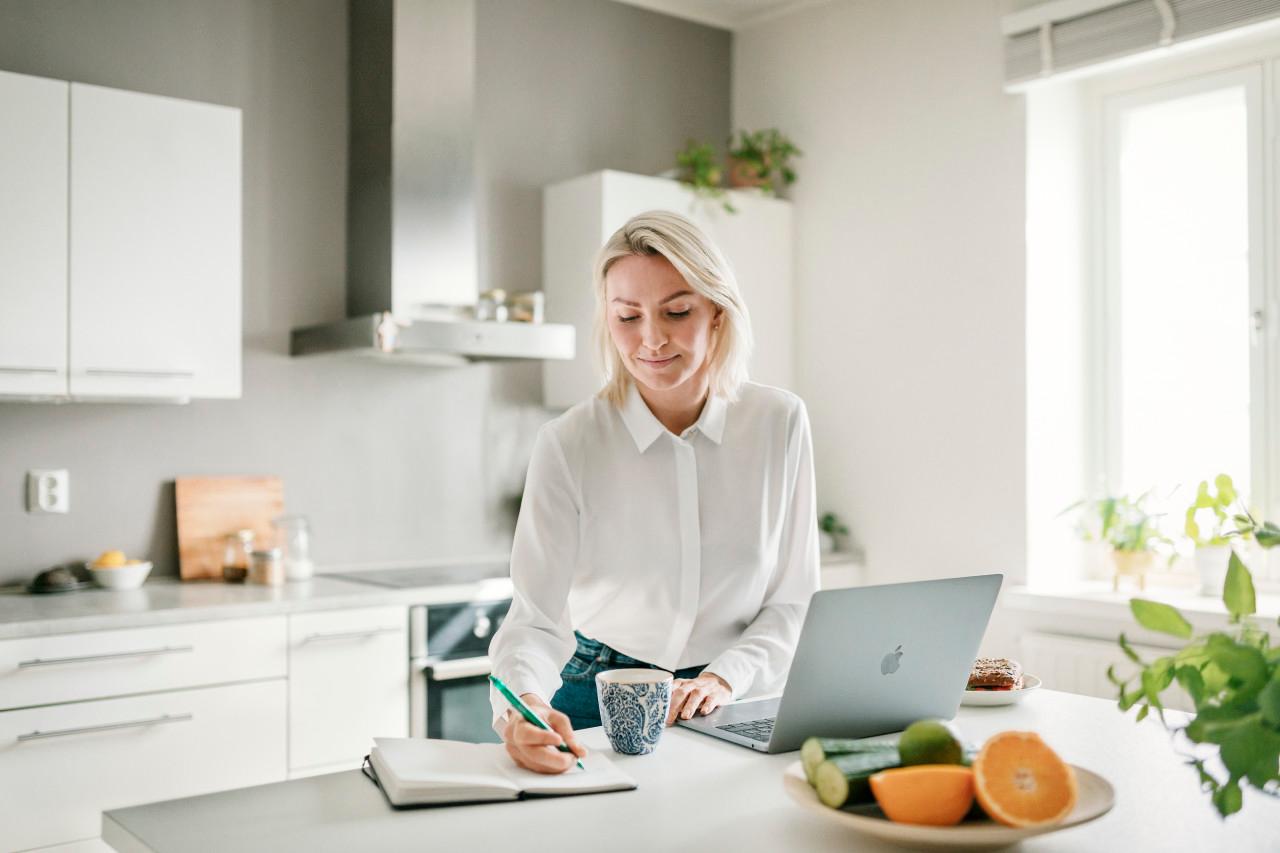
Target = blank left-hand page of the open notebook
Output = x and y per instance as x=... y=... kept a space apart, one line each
x=427 y=770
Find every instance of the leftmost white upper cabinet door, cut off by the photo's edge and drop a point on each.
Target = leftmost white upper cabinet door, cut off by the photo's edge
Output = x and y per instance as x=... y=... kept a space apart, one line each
x=33 y=236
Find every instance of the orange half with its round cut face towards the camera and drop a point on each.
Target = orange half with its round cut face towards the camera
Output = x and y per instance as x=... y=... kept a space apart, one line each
x=1022 y=782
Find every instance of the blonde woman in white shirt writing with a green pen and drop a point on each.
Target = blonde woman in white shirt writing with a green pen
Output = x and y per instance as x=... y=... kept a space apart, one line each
x=668 y=523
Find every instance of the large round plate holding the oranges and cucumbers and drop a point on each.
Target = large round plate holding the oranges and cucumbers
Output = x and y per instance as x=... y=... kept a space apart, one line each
x=1095 y=799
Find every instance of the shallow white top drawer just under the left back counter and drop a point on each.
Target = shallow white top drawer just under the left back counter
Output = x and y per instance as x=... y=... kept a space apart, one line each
x=100 y=664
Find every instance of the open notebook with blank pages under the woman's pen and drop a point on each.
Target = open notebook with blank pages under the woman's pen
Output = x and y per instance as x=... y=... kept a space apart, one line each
x=415 y=772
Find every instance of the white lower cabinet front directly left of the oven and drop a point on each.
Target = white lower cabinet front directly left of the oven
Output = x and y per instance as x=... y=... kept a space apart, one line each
x=349 y=685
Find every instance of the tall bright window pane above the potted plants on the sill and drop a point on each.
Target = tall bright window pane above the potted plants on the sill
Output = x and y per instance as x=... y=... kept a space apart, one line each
x=1177 y=368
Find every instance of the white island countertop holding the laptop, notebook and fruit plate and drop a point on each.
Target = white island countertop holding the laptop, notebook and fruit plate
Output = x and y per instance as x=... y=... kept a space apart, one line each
x=698 y=793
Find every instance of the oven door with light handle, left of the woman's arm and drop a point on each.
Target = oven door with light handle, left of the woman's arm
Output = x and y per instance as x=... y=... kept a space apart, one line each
x=458 y=700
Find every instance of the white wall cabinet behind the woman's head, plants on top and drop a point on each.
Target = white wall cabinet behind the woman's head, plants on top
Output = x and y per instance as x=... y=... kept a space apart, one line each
x=580 y=215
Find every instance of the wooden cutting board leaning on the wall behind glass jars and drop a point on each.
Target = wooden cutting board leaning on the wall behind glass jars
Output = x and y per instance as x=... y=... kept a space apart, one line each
x=209 y=508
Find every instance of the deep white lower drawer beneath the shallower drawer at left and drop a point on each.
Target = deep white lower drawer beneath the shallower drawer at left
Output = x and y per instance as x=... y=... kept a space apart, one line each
x=92 y=756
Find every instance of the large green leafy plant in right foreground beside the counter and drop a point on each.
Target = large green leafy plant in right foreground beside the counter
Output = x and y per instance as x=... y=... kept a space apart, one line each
x=1232 y=677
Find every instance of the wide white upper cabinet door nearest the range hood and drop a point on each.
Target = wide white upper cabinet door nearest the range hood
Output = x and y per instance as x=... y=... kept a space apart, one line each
x=156 y=247
